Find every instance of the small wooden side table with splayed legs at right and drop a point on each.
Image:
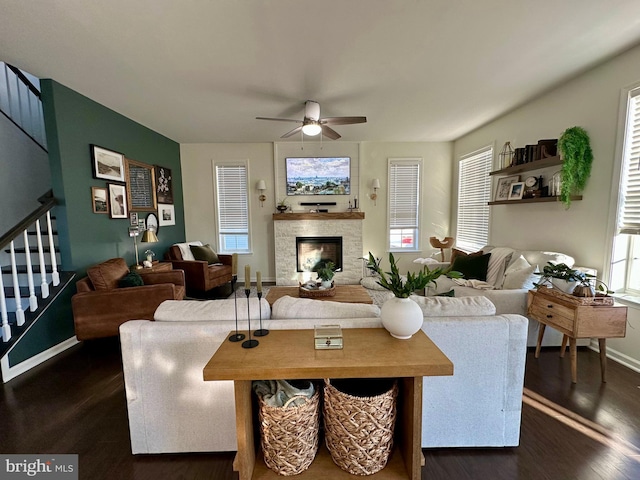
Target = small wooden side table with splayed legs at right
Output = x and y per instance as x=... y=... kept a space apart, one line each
x=575 y=321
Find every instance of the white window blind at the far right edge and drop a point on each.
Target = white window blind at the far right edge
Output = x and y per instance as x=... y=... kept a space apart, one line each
x=629 y=214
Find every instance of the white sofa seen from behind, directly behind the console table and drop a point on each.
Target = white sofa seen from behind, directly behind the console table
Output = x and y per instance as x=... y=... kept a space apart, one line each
x=171 y=409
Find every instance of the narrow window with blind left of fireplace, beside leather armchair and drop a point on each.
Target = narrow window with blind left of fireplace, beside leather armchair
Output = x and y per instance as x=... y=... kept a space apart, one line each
x=232 y=207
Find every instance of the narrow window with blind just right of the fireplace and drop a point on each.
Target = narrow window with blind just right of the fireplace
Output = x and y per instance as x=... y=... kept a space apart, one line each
x=404 y=203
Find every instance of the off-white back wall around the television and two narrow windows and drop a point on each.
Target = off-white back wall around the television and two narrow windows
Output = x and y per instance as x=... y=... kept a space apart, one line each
x=266 y=160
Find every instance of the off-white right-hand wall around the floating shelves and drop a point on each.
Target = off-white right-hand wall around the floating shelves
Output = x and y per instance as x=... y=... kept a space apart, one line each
x=590 y=101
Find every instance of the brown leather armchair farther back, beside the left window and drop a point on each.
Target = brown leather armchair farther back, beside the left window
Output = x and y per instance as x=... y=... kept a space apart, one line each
x=200 y=277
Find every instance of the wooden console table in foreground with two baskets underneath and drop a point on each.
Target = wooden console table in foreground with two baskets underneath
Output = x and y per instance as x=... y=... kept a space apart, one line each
x=372 y=353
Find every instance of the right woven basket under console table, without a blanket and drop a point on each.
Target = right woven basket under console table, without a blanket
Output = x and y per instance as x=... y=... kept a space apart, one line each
x=359 y=430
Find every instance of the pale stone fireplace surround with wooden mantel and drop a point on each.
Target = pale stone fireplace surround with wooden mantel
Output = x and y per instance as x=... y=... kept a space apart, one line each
x=288 y=226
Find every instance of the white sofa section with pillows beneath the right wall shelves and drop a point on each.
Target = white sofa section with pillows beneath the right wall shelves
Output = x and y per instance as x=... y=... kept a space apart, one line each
x=510 y=276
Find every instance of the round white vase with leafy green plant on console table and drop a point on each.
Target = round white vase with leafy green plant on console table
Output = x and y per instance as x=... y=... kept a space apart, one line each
x=400 y=315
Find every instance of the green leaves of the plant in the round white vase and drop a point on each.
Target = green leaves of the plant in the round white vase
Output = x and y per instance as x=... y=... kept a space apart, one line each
x=393 y=281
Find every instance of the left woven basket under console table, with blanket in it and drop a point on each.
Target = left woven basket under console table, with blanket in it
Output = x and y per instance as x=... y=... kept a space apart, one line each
x=289 y=435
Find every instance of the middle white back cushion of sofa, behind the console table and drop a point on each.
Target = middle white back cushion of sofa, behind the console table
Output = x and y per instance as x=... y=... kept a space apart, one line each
x=296 y=308
